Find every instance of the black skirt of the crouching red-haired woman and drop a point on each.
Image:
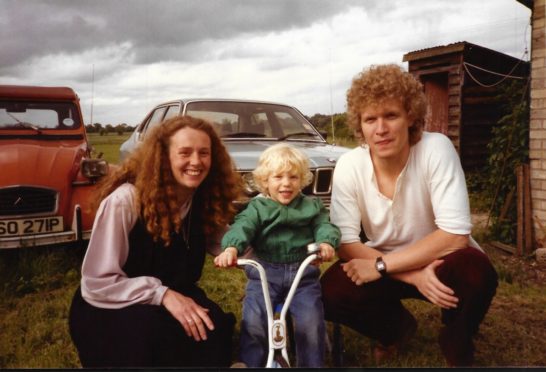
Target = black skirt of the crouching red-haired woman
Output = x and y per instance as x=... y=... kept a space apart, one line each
x=147 y=336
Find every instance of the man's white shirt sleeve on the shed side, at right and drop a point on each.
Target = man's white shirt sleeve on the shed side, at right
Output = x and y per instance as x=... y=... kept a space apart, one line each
x=448 y=188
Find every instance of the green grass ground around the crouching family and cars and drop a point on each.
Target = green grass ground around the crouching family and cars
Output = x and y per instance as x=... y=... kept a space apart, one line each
x=37 y=286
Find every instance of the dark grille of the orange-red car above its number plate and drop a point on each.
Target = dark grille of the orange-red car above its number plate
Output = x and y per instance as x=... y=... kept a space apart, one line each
x=27 y=200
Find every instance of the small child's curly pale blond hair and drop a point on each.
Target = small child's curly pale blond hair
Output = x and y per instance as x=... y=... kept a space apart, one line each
x=281 y=158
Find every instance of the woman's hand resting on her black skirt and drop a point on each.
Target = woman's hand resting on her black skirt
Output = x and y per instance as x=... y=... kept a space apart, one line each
x=190 y=315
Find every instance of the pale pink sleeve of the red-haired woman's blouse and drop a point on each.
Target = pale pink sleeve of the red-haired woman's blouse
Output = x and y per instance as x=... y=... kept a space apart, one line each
x=104 y=284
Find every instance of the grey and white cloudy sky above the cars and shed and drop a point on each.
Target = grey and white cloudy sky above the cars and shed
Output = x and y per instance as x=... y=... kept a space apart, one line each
x=123 y=57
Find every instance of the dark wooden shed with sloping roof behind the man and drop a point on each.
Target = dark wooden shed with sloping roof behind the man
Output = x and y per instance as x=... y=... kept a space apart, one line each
x=462 y=81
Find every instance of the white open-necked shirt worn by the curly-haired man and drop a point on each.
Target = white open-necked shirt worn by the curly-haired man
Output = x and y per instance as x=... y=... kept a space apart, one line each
x=430 y=193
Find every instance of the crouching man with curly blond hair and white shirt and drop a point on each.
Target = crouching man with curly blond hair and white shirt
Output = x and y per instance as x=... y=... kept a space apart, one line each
x=406 y=189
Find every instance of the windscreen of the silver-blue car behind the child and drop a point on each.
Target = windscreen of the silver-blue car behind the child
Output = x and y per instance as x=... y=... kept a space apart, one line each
x=235 y=120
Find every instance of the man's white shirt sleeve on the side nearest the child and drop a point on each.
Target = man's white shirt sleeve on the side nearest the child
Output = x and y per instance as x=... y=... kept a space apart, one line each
x=344 y=208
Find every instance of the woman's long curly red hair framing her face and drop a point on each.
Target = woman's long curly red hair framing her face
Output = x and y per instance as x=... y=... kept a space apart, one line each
x=158 y=202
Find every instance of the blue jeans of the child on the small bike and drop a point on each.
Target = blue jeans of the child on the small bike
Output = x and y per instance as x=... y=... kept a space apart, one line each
x=306 y=310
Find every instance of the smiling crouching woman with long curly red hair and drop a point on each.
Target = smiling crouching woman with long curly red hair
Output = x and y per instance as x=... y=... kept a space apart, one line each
x=139 y=304
